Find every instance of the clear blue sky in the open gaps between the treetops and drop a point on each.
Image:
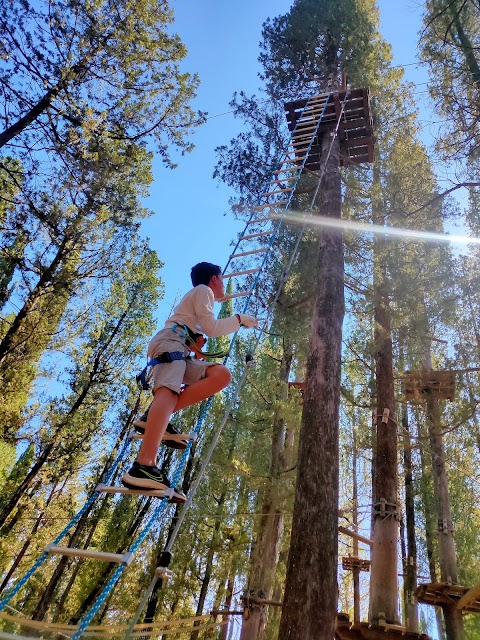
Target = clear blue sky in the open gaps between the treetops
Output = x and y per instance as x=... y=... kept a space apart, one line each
x=222 y=40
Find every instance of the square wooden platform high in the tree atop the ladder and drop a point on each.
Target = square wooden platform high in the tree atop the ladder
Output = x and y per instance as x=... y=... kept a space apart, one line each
x=355 y=131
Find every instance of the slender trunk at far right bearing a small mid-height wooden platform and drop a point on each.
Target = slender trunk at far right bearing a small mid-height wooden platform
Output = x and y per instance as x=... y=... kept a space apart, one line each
x=446 y=541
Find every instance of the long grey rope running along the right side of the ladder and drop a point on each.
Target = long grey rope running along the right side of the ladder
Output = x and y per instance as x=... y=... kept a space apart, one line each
x=208 y=455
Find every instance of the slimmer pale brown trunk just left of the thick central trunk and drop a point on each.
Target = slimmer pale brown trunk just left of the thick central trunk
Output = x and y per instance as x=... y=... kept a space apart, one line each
x=266 y=548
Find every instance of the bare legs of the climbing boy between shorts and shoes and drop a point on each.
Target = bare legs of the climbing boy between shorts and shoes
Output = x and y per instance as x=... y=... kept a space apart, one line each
x=165 y=402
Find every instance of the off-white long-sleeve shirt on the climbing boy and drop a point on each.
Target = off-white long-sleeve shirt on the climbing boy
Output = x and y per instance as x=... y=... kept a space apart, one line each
x=195 y=310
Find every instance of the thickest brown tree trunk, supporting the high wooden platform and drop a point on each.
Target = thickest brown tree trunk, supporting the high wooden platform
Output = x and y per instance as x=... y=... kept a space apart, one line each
x=310 y=601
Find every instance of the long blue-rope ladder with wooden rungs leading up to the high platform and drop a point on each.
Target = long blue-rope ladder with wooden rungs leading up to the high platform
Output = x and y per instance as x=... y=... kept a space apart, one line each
x=246 y=264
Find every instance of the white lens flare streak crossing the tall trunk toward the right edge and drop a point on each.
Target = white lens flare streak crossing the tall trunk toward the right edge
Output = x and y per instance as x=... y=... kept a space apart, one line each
x=296 y=217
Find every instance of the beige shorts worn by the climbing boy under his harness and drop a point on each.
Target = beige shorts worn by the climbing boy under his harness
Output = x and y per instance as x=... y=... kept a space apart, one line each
x=173 y=374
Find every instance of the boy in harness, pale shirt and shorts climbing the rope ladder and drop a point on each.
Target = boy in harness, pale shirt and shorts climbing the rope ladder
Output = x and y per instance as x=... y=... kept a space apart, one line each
x=170 y=350
